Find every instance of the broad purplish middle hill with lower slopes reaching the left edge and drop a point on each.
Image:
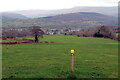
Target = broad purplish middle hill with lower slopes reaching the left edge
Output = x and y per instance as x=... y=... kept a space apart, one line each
x=79 y=19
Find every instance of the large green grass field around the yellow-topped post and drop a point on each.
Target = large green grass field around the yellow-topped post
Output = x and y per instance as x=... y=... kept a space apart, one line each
x=94 y=58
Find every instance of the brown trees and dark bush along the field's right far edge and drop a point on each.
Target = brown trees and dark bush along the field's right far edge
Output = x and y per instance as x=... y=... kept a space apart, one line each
x=101 y=31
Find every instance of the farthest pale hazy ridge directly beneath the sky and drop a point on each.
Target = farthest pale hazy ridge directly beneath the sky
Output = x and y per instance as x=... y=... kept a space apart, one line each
x=111 y=11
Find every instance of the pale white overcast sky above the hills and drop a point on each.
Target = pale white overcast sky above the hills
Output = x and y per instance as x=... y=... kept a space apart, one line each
x=13 y=5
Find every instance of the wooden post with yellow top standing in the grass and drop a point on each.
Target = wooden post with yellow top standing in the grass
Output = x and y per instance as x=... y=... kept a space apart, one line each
x=72 y=63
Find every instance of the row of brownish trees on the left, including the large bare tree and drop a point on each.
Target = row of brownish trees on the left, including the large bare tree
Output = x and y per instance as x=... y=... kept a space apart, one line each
x=35 y=31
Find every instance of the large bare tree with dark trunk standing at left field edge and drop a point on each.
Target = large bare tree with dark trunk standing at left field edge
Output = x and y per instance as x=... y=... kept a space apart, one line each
x=37 y=32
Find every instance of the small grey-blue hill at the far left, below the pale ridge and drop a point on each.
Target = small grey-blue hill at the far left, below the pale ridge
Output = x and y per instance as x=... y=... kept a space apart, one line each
x=7 y=16
